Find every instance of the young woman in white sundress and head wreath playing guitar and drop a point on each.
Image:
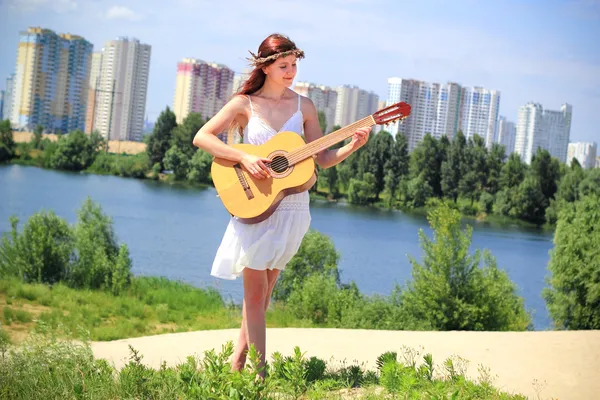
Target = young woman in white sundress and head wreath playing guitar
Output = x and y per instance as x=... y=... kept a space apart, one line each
x=258 y=252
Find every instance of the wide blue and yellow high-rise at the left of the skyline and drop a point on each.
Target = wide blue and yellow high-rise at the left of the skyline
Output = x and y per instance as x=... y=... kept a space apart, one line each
x=50 y=84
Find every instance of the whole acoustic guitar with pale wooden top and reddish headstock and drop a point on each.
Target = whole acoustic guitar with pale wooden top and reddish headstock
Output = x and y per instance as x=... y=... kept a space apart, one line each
x=292 y=167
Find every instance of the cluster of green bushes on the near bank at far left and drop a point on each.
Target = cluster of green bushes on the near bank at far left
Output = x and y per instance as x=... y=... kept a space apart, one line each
x=84 y=256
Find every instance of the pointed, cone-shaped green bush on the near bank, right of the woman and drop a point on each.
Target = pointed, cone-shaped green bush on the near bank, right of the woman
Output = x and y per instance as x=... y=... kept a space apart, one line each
x=449 y=290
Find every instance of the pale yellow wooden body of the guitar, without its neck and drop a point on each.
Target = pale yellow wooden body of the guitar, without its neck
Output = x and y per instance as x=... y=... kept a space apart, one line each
x=254 y=200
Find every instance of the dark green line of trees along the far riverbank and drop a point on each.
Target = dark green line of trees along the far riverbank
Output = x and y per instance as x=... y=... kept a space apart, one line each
x=480 y=182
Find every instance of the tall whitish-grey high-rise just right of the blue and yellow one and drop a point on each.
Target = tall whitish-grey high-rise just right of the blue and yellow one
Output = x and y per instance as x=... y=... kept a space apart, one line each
x=122 y=89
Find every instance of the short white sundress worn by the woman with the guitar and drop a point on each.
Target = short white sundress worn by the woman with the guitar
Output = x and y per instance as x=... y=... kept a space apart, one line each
x=273 y=242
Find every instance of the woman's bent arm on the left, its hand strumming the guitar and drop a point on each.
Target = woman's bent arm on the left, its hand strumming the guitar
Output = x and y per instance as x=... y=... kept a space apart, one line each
x=207 y=140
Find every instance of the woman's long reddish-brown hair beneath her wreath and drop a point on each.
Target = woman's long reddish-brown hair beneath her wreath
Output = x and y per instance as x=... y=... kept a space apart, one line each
x=273 y=44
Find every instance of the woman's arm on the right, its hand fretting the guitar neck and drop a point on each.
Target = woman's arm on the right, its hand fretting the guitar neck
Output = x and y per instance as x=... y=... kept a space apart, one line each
x=312 y=131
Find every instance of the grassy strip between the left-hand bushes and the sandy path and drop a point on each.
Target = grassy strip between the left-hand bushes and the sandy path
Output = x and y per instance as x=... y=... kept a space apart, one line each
x=150 y=306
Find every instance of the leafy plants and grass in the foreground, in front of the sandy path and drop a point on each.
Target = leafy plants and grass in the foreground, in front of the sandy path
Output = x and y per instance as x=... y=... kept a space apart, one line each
x=43 y=367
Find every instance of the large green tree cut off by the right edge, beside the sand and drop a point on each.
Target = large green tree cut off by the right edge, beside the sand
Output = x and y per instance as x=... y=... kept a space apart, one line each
x=573 y=297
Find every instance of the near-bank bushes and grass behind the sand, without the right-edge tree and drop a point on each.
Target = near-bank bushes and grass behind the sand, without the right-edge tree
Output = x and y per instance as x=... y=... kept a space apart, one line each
x=76 y=278
